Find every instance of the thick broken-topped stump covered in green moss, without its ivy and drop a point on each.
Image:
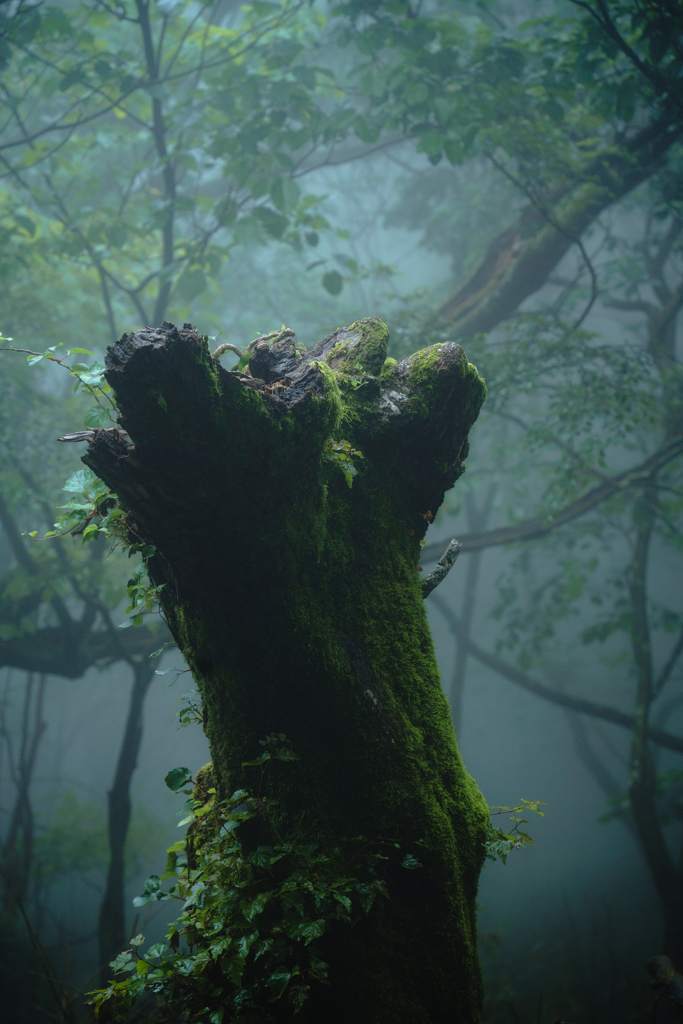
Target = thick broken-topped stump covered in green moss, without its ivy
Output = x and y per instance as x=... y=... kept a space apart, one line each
x=296 y=602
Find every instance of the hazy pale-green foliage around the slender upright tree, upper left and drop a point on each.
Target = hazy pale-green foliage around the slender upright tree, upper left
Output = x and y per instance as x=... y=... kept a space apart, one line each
x=236 y=97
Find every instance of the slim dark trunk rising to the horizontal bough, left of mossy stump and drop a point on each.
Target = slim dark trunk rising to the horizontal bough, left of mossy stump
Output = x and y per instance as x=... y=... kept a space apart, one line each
x=112 y=932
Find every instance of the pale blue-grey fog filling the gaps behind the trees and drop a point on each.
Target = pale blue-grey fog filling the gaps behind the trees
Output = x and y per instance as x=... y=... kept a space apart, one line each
x=568 y=925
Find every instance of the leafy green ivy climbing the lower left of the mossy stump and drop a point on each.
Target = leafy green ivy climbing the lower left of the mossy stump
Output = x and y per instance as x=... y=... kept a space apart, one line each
x=253 y=913
